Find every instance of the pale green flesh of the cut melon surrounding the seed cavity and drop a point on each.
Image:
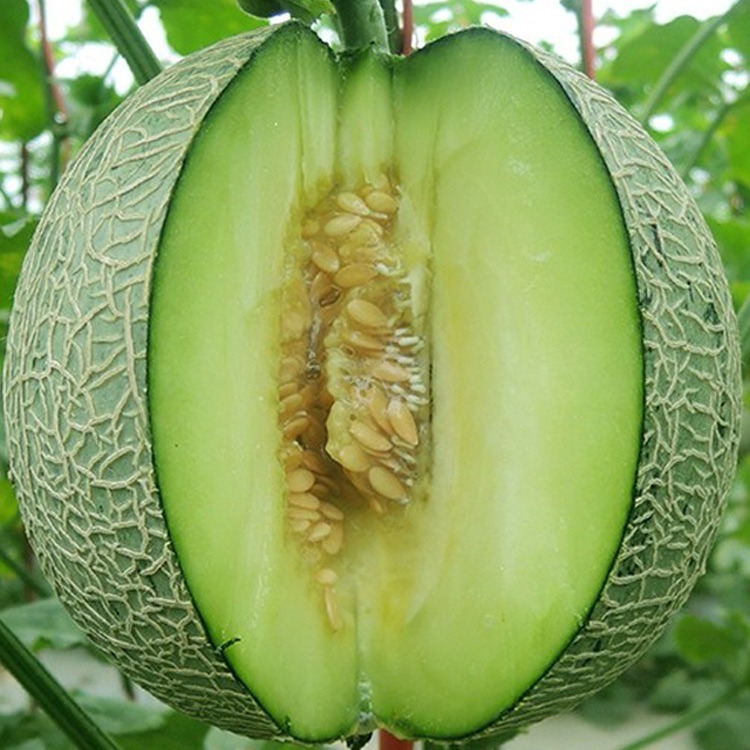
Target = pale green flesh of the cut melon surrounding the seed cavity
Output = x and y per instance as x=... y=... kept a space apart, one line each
x=452 y=613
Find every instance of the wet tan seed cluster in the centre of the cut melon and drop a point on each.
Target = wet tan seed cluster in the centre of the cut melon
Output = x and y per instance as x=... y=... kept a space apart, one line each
x=353 y=377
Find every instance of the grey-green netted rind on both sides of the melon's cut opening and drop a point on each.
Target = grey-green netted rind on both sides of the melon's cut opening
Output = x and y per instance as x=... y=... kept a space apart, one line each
x=78 y=424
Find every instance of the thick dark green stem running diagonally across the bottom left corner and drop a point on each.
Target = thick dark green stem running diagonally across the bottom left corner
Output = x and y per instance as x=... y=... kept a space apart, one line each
x=50 y=695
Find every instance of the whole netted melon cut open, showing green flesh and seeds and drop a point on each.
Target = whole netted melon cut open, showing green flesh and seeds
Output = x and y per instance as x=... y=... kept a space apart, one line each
x=365 y=391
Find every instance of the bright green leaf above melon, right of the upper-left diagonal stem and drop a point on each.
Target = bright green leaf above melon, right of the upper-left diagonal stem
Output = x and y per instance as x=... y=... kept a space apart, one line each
x=192 y=24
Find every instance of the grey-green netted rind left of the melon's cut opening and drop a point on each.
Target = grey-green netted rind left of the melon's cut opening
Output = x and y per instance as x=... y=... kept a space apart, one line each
x=76 y=397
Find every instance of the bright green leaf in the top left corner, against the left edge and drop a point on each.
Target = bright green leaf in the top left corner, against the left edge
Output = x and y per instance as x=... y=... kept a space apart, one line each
x=23 y=112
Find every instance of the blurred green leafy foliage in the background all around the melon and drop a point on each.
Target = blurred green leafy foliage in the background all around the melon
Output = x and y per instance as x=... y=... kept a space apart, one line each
x=686 y=79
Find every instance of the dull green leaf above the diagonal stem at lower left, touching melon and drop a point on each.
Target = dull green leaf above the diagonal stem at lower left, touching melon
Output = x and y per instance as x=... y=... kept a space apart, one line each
x=43 y=623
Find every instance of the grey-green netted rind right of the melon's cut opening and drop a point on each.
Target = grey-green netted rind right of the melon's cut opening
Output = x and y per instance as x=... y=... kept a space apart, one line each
x=692 y=409
